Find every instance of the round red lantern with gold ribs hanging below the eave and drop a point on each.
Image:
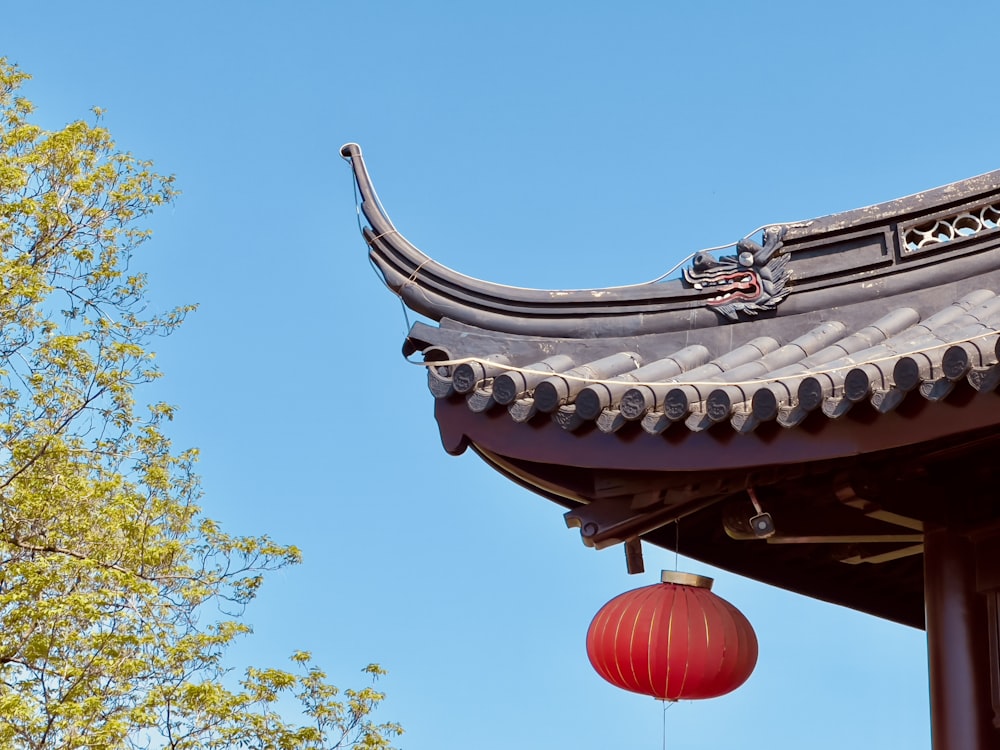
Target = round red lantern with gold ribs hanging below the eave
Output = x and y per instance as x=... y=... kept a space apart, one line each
x=674 y=640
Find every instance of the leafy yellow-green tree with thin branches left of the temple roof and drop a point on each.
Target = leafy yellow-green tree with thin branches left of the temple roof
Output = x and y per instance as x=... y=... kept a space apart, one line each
x=111 y=579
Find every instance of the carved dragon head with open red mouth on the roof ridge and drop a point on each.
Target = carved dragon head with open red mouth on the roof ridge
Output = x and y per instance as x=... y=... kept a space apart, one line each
x=749 y=282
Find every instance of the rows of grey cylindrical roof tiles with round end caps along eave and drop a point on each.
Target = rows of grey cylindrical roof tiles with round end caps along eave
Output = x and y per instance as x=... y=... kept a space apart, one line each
x=830 y=368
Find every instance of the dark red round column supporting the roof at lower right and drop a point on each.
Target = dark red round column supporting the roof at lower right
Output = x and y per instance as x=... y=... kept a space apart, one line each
x=958 y=645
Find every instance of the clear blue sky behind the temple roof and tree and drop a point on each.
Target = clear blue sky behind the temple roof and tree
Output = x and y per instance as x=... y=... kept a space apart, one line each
x=559 y=144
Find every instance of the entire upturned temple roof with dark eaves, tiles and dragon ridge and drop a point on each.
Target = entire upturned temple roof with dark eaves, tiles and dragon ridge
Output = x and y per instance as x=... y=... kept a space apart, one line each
x=836 y=375
